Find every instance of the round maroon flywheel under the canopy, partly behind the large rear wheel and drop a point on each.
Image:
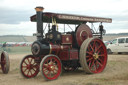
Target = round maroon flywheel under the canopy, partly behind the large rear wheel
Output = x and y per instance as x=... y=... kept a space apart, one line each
x=83 y=32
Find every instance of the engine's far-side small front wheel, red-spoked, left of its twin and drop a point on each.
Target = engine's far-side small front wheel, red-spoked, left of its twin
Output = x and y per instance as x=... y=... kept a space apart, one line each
x=28 y=67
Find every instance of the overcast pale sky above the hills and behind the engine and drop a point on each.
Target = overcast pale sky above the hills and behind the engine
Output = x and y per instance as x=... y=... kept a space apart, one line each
x=15 y=14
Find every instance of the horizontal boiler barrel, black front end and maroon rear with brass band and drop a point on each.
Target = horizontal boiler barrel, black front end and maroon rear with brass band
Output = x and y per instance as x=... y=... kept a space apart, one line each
x=40 y=48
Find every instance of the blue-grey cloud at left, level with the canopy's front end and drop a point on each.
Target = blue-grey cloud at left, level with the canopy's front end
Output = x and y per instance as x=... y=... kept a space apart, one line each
x=12 y=16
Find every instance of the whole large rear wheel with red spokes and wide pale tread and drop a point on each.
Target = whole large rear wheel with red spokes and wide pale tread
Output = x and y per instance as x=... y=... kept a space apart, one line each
x=93 y=55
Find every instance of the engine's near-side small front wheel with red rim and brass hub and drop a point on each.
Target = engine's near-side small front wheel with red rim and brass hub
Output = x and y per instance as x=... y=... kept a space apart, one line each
x=51 y=68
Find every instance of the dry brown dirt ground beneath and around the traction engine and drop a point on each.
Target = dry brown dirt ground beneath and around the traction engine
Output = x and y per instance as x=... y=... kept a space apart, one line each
x=115 y=73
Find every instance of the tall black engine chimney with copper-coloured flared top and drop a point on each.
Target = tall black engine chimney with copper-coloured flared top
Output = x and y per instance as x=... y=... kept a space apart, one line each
x=39 y=18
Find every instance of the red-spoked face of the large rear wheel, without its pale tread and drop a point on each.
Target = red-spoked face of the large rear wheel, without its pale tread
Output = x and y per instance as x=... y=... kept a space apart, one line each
x=96 y=56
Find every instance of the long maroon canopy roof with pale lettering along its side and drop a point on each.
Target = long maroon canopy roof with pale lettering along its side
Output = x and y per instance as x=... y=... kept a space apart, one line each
x=69 y=18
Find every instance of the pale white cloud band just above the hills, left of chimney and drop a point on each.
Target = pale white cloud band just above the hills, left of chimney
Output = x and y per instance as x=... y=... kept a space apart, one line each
x=23 y=28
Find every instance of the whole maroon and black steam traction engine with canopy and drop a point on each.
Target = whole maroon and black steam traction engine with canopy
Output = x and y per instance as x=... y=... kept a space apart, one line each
x=69 y=50
